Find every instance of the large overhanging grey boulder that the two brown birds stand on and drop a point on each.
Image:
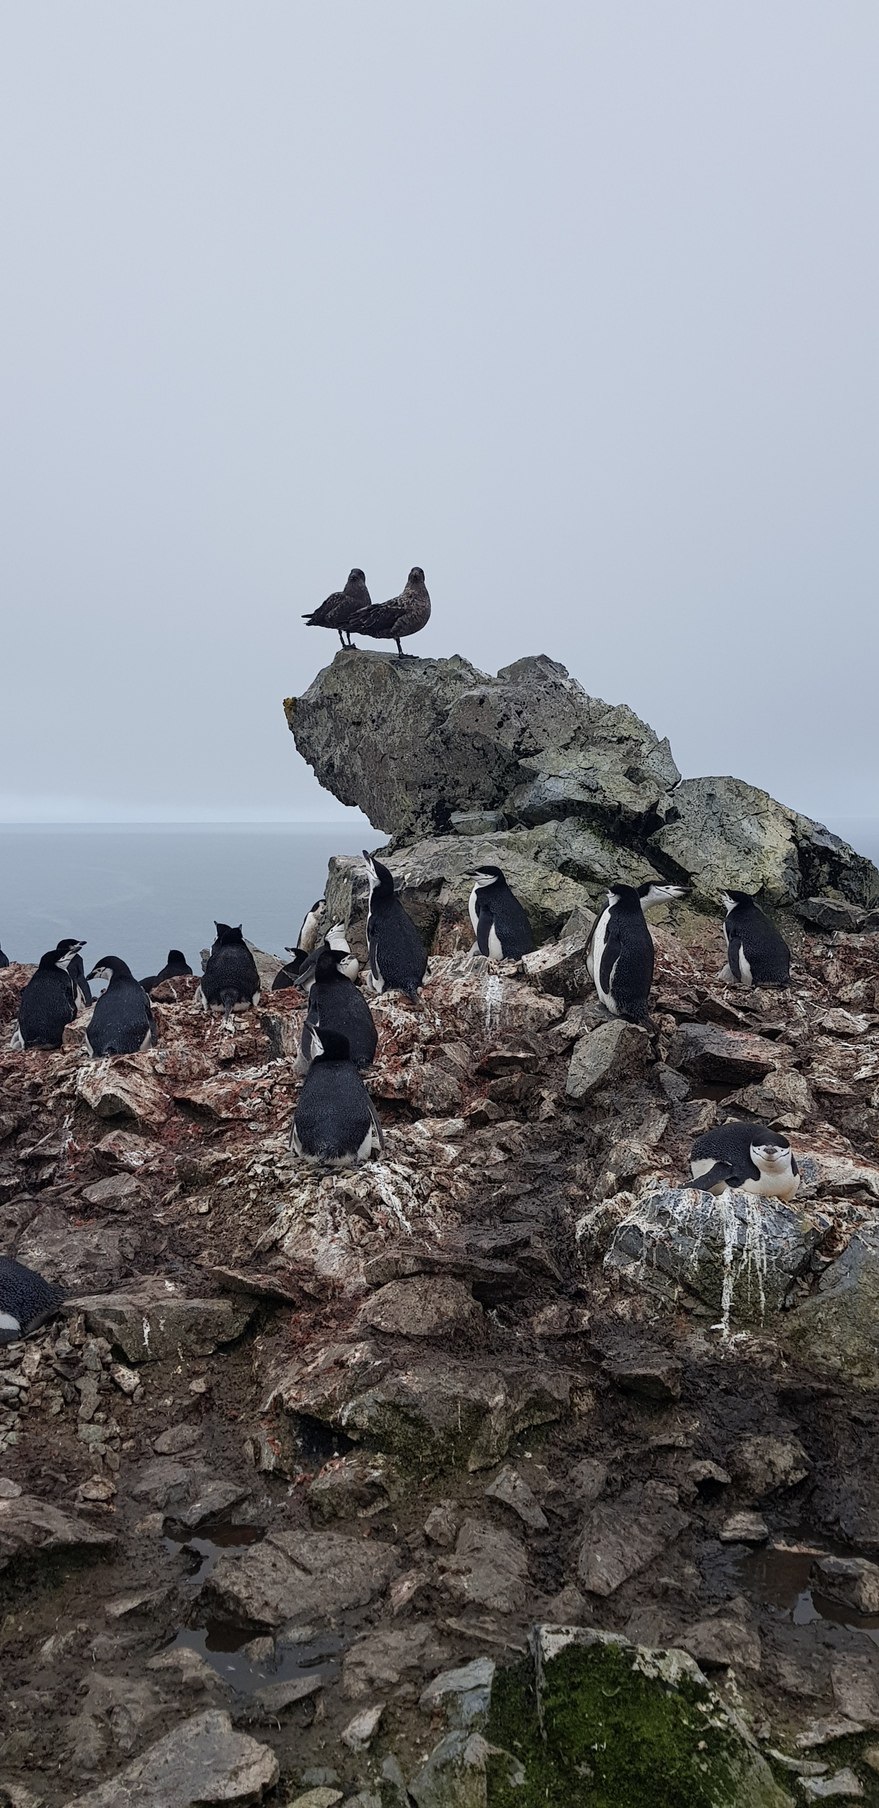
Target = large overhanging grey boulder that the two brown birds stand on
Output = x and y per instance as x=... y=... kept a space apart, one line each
x=415 y=740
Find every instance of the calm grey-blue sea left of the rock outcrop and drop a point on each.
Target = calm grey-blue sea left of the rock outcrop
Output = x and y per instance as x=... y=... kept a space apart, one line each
x=140 y=890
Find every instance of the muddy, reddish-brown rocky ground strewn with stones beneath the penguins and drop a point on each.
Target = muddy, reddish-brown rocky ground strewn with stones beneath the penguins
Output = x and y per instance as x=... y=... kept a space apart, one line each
x=299 y=1445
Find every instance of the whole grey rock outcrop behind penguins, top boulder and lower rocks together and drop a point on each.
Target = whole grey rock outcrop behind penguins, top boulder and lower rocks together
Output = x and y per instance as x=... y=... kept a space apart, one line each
x=560 y=789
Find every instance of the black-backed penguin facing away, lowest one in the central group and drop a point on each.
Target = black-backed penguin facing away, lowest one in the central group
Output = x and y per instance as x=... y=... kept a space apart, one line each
x=334 y=1122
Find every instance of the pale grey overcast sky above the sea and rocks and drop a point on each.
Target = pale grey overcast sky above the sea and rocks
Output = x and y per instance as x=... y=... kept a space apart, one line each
x=574 y=305
